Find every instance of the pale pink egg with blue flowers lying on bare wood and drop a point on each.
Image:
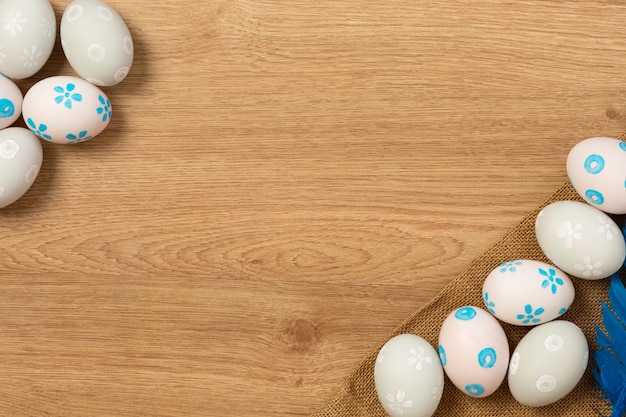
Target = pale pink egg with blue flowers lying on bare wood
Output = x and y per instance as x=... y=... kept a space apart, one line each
x=66 y=110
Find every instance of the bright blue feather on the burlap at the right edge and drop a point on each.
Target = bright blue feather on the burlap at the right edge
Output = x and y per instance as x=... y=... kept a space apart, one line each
x=609 y=369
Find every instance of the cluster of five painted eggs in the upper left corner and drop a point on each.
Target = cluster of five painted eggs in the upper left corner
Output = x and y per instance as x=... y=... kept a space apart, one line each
x=59 y=109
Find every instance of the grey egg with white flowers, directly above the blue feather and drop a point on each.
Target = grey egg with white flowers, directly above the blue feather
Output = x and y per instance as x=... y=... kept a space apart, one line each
x=580 y=239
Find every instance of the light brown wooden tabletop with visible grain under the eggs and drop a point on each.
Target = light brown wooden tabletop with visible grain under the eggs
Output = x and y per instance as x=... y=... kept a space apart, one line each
x=281 y=184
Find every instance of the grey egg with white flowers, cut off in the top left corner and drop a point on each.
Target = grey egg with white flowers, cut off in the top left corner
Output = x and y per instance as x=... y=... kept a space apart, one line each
x=27 y=36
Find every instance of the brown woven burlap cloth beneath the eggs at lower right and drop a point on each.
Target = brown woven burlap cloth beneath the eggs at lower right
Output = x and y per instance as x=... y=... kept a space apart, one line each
x=357 y=396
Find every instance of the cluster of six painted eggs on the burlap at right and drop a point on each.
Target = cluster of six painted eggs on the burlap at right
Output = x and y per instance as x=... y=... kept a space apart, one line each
x=580 y=240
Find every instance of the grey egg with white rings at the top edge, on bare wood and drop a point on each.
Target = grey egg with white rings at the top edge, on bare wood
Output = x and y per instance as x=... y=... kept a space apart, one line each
x=96 y=42
